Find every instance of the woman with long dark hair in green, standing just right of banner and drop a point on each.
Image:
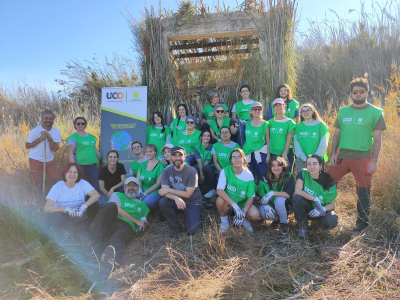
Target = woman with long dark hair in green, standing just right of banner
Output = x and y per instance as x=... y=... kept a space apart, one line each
x=158 y=133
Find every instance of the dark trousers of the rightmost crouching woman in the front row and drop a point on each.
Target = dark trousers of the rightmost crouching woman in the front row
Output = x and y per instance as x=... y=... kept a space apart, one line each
x=302 y=207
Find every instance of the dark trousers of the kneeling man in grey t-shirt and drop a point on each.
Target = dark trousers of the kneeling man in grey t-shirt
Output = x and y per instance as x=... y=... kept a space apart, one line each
x=192 y=214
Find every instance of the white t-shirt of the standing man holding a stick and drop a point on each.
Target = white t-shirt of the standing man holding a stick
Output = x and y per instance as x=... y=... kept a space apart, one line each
x=36 y=152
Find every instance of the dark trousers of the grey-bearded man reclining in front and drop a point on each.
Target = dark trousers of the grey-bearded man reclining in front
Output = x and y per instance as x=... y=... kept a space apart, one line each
x=109 y=230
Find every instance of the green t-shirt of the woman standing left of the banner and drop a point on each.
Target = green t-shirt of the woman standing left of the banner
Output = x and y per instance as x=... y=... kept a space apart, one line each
x=85 y=148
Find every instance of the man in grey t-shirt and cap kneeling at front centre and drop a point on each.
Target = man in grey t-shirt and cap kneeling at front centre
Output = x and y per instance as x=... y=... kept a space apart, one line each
x=180 y=194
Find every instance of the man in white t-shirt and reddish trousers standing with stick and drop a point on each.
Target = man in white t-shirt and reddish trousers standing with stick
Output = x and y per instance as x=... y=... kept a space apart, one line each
x=44 y=133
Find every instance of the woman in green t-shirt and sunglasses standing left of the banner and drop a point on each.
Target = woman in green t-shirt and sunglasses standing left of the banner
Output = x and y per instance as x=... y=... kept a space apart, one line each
x=82 y=149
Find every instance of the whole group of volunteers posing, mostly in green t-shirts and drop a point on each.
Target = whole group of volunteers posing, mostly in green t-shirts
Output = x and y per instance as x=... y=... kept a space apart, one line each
x=235 y=158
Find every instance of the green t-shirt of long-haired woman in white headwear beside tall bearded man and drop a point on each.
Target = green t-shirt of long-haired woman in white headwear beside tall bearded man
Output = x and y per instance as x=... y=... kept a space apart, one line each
x=309 y=137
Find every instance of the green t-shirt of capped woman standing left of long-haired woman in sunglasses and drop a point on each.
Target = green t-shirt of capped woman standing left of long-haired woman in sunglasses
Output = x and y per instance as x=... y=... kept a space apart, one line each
x=278 y=132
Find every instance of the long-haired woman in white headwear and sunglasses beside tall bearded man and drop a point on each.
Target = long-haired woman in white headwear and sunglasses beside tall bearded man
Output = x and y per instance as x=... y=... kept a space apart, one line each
x=311 y=136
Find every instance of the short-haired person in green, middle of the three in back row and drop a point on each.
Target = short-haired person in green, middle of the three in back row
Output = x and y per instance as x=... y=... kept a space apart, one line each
x=241 y=111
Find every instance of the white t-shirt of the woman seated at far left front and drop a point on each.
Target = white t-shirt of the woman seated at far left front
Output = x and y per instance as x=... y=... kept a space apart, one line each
x=64 y=196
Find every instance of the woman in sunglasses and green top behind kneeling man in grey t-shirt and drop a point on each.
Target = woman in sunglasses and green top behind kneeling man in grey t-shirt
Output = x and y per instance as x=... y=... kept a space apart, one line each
x=188 y=139
